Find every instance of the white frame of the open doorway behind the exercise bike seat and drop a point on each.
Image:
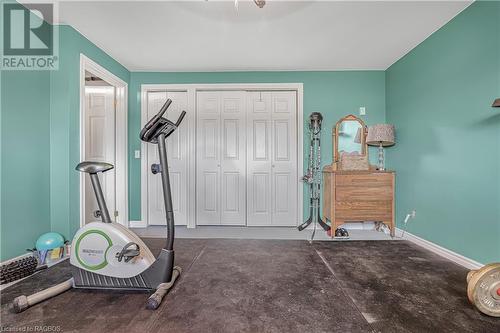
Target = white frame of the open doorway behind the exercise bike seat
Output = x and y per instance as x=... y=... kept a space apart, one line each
x=121 y=144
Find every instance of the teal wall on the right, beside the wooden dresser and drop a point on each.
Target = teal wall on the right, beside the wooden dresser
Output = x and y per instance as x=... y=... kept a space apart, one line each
x=448 y=137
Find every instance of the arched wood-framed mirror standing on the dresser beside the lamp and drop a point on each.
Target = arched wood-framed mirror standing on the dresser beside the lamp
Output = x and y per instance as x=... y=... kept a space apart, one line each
x=349 y=136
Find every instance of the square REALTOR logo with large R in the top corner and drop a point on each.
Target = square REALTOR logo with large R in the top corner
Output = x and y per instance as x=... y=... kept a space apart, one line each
x=29 y=38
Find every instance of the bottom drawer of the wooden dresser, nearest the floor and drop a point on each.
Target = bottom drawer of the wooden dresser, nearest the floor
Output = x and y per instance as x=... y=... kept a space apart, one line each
x=363 y=211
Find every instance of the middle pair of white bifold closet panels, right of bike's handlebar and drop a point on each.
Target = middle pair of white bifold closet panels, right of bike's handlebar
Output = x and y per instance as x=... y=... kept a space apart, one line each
x=220 y=164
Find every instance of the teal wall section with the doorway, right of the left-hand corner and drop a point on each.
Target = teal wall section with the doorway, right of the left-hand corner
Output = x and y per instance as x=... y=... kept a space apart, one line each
x=65 y=126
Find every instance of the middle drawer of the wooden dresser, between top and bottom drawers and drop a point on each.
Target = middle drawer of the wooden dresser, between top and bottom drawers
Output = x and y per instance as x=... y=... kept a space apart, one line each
x=363 y=193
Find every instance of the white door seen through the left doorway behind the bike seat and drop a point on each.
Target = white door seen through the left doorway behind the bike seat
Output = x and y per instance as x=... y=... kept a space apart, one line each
x=100 y=145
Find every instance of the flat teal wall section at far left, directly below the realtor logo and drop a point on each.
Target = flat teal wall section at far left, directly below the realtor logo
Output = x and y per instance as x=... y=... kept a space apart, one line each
x=25 y=168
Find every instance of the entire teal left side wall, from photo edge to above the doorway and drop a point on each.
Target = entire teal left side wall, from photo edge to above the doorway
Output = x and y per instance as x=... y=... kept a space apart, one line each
x=40 y=145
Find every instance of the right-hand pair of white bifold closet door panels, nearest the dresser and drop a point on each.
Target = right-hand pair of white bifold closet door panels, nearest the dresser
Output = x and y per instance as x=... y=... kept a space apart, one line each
x=272 y=158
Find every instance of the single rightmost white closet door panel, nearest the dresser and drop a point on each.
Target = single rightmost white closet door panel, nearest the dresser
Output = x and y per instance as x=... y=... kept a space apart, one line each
x=284 y=159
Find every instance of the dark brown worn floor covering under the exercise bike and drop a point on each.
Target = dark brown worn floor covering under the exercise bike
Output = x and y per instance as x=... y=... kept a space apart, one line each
x=272 y=286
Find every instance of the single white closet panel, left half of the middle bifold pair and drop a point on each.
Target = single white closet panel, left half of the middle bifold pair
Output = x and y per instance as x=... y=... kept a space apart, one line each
x=208 y=158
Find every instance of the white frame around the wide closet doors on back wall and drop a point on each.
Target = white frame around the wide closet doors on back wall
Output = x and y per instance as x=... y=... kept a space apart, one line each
x=191 y=90
